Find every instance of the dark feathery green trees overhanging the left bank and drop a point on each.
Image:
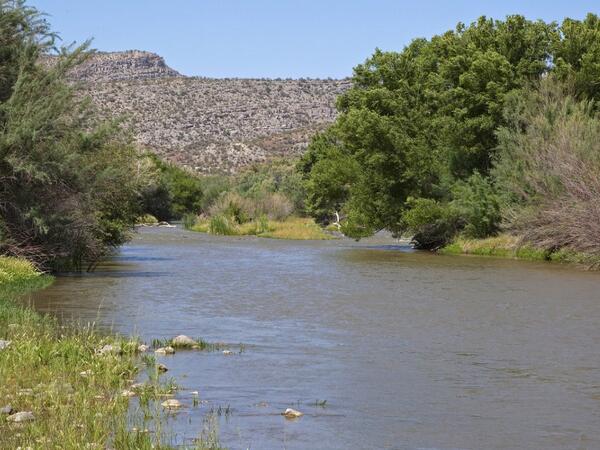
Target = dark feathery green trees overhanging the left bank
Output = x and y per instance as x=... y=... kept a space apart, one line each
x=70 y=185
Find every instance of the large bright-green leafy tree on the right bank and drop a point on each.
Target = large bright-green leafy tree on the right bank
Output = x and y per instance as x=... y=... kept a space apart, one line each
x=417 y=122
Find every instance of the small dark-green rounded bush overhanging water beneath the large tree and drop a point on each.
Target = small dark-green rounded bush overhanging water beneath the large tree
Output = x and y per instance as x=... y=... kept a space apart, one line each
x=432 y=224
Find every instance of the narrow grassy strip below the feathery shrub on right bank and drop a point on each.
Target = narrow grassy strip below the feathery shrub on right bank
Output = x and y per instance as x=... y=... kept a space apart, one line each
x=508 y=246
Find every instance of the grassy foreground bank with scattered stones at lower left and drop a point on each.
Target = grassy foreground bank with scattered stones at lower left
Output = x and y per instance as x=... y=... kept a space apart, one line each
x=74 y=393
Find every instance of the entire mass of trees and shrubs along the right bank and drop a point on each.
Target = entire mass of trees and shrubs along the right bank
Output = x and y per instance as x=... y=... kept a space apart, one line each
x=486 y=127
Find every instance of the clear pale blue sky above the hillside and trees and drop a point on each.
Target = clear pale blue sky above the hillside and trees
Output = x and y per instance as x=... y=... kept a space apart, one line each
x=277 y=38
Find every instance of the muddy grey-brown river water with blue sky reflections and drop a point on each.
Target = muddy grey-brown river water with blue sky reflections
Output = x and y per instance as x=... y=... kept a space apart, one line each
x=410 y=350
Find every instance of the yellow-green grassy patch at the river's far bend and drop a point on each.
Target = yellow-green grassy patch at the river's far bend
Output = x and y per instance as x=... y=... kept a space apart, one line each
x=294 y=228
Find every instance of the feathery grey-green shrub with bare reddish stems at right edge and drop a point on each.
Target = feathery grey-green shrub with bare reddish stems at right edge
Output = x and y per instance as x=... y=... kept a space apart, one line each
x=549 y=166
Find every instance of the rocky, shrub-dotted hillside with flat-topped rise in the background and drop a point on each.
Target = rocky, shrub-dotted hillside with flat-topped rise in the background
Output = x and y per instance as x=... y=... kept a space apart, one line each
x=211 y=125
